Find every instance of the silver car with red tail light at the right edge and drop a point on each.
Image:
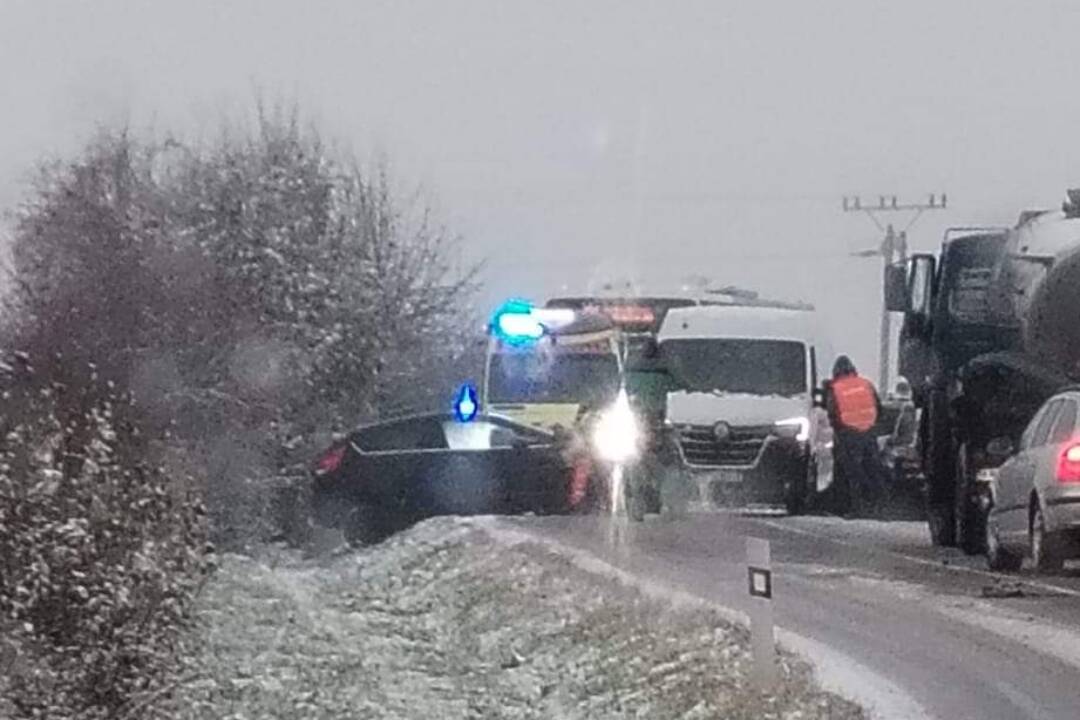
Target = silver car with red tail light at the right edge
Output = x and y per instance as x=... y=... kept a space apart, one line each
x=1035 y=495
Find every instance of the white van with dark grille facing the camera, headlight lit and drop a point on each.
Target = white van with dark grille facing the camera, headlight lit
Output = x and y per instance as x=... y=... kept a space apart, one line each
x=746 y=416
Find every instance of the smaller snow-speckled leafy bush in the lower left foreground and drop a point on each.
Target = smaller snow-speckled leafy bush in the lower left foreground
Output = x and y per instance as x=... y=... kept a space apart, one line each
x=100 y=561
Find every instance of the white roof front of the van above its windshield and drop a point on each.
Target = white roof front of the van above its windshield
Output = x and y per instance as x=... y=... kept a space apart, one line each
x=741 y=322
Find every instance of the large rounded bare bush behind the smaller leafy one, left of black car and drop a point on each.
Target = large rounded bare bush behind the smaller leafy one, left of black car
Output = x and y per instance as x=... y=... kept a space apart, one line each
x=254 y=297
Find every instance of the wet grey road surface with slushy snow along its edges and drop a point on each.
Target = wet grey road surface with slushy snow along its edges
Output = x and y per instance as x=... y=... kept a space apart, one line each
x=929 y=620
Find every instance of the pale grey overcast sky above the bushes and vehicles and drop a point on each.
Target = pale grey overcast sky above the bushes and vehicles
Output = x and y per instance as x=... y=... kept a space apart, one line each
x=572 y=142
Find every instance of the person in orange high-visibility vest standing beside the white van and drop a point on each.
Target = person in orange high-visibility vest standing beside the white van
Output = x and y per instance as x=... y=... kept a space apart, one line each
x=854 y=410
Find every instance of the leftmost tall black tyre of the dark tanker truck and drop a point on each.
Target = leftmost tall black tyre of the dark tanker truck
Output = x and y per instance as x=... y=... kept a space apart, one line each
x=940 y=466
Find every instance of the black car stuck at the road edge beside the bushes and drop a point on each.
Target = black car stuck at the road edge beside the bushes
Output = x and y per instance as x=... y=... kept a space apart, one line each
x=388 y=476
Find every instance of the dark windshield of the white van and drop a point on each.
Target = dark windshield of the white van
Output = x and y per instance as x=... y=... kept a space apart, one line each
x=730 y=365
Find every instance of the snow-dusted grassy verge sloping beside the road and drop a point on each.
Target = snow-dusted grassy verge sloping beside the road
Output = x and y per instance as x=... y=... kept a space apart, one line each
x=445 y=621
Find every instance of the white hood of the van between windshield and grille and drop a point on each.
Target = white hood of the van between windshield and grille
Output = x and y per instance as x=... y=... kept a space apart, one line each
x=736 y=409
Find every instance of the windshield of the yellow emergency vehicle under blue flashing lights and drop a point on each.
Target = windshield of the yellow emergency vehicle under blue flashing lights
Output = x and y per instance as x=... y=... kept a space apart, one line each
x=526 y=377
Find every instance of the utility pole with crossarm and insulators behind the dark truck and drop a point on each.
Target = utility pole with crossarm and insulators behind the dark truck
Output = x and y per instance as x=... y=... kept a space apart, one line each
x=894 y=250
